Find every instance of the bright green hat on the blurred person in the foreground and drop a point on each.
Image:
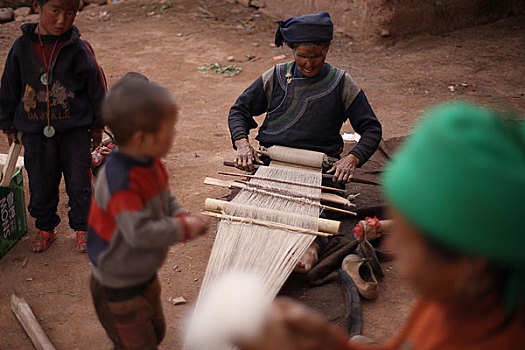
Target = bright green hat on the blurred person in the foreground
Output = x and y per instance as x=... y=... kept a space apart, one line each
x=460 y=178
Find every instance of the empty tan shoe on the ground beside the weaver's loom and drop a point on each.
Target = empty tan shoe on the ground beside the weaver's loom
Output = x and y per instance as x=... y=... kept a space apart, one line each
x=361 y=273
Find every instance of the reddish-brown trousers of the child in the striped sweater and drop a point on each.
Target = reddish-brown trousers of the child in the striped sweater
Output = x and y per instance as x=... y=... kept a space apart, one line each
x=132 y=317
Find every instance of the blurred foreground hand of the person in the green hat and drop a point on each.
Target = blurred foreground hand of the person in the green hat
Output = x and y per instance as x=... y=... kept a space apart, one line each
x=291 y=326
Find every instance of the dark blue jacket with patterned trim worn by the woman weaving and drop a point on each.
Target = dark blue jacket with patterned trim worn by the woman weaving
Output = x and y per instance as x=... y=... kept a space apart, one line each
x=306 y=113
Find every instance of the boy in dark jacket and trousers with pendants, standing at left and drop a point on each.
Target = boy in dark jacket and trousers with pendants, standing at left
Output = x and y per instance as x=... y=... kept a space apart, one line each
x=52 y=89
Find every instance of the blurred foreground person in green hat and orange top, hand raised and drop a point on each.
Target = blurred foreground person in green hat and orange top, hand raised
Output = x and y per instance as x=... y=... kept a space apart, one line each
x=456 y=191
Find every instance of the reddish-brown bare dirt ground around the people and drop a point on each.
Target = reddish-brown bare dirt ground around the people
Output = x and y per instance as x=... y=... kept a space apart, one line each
x=483 y=64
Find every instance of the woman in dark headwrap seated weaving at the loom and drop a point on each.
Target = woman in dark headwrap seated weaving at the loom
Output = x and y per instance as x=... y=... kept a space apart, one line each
x=306 y=103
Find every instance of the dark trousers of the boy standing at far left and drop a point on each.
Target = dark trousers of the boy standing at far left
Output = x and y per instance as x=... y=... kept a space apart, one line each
x=45 y=160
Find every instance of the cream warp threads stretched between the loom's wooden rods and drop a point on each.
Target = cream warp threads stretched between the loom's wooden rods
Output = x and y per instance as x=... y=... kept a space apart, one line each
x=268 y=252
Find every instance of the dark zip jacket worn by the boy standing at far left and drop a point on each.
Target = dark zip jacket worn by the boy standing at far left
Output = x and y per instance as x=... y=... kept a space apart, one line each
x=76 y=85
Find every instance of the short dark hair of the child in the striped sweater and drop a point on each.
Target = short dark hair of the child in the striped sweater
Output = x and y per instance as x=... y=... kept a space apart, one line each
x=135 y=104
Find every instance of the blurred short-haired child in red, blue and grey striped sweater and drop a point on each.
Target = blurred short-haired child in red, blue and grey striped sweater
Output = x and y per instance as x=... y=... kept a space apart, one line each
x=134 y=218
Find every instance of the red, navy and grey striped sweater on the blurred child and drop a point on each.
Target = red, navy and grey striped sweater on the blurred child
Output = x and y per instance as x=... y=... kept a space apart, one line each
x=132 y=222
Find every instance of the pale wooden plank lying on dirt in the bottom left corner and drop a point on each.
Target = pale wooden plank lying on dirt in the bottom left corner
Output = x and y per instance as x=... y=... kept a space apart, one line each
x=27 y=319
